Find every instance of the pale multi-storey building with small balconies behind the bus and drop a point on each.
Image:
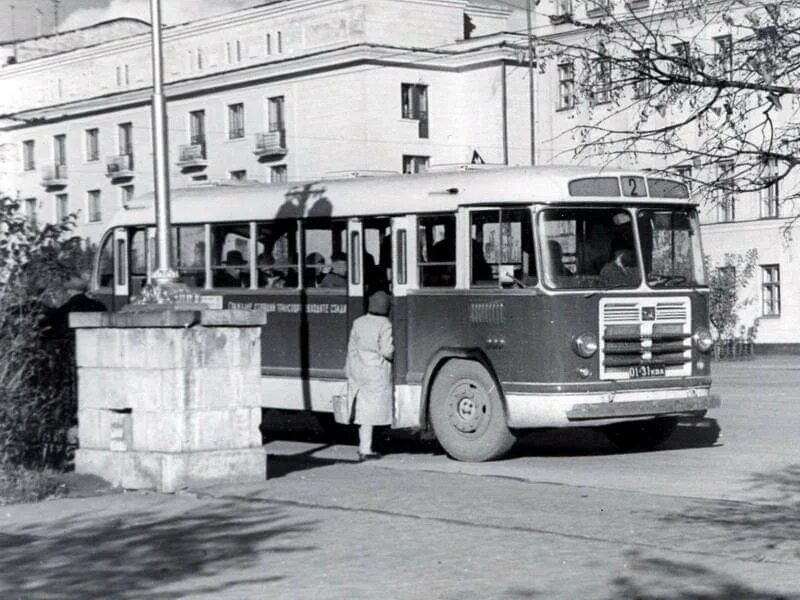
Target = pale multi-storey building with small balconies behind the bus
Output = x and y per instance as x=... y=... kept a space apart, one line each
x=302 y=89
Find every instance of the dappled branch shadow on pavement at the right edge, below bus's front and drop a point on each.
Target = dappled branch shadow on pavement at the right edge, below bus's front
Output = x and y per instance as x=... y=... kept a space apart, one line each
x=765 y=529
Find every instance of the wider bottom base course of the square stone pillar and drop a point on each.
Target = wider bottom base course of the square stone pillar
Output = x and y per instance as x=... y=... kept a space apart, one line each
x=169 y=472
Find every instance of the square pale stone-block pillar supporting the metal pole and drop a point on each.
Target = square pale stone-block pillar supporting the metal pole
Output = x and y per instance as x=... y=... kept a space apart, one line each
x=169 y=398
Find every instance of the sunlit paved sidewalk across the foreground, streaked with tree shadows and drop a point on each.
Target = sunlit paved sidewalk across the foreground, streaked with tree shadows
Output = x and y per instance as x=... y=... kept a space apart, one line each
x=329 y=529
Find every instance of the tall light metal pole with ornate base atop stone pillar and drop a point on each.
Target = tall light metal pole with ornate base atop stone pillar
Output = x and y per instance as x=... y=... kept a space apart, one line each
x=164 y=274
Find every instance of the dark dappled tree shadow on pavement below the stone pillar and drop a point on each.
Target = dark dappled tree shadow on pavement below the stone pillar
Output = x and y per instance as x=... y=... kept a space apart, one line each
x=136 y=555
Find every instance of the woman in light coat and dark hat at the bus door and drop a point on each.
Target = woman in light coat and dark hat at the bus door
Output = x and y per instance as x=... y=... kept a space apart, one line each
x=369 y=372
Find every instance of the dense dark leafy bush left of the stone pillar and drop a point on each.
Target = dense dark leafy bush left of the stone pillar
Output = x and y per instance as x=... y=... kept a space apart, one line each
x=37 y=382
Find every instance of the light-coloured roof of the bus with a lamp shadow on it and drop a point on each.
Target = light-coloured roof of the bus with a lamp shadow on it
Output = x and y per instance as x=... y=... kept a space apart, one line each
x=385 y=195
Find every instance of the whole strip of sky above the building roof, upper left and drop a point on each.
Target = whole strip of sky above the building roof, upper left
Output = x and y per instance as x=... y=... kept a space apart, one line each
x=27 y=18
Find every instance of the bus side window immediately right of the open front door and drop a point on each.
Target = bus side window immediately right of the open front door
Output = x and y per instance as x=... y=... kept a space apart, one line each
x=437 y=250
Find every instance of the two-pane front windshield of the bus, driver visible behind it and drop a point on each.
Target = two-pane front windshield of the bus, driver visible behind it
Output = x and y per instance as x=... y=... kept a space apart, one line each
x=595 y=248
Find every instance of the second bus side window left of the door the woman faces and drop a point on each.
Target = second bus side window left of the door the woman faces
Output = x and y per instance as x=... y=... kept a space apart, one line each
x=276 y=255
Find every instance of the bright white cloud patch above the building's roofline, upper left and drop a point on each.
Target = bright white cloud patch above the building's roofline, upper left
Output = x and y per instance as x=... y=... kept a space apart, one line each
x=172 y=11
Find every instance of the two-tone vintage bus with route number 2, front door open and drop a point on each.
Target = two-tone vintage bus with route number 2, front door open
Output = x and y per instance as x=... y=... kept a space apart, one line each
x=522 y=298
